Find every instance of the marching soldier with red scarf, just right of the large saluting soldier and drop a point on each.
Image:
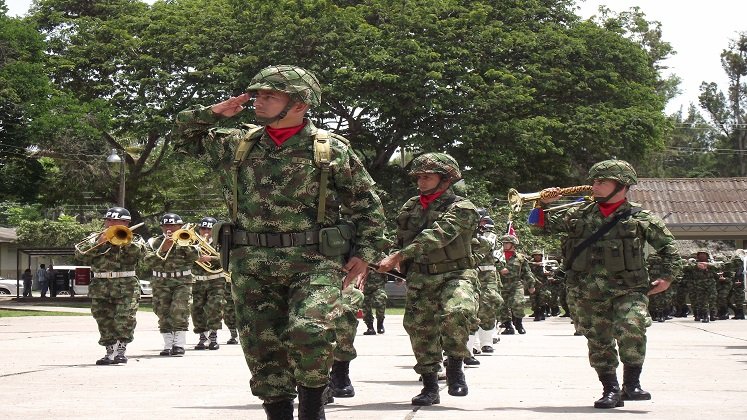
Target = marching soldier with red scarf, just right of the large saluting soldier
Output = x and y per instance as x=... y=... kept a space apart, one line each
x=434 y=233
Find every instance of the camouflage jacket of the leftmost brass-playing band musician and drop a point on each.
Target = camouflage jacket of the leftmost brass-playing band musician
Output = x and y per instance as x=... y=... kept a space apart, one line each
x=108 y=258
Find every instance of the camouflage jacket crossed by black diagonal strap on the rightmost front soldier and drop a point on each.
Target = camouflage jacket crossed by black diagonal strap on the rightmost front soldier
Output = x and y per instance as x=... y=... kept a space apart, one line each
x=615 y=262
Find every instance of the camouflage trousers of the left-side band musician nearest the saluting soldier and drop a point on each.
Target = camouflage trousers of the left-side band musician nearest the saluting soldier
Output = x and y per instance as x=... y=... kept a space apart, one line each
x=207 y=304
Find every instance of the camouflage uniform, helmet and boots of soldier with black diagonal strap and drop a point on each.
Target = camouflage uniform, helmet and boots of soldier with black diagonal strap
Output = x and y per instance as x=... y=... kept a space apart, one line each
x=609 y=281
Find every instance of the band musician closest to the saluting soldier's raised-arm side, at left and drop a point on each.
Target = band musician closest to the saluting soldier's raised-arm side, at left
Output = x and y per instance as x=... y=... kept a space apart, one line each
x=208 y=291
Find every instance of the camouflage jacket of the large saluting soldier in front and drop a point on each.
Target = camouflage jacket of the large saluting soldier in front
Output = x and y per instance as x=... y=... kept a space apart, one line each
x=279 y=187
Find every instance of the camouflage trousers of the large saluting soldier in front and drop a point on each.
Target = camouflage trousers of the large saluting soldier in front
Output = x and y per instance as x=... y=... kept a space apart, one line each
x=287 y=328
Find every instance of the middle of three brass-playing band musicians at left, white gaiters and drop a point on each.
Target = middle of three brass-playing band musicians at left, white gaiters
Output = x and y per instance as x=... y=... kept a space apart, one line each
x=171 y=262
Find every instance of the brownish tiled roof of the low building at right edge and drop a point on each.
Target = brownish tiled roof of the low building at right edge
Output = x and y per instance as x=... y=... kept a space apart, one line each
x=691 y=201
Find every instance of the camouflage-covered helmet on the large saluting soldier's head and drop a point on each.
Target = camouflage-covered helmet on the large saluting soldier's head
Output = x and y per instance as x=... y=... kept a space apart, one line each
x=300 y=84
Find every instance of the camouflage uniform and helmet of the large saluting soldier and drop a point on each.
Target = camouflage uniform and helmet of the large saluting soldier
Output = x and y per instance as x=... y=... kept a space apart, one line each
x=287 y=293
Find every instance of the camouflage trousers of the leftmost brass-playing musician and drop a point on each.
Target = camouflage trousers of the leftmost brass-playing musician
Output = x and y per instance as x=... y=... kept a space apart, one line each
x=114 y=304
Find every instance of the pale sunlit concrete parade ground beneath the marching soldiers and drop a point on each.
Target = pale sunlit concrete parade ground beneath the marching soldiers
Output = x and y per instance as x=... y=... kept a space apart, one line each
x=693 y=371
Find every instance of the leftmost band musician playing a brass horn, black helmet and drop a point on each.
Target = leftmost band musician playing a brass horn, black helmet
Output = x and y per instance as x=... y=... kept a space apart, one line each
x=114 y=289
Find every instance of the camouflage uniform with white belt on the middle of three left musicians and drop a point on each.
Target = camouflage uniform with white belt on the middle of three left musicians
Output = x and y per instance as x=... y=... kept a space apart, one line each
x=172 y=288
